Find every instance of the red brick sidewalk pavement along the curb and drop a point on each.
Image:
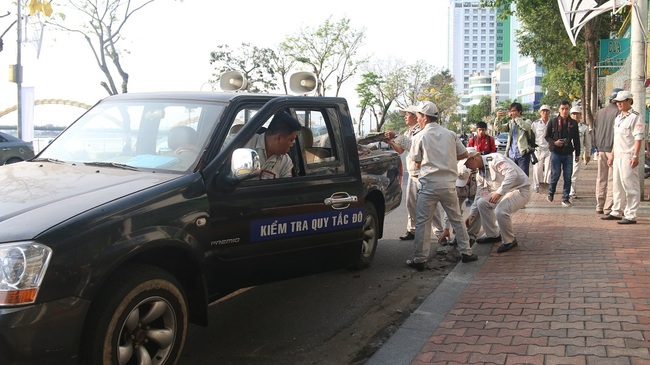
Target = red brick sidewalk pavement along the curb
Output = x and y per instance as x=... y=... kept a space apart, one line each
x=575 y=291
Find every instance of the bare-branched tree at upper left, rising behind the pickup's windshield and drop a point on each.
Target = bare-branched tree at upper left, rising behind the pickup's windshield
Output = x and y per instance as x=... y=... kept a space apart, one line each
x=101 y=24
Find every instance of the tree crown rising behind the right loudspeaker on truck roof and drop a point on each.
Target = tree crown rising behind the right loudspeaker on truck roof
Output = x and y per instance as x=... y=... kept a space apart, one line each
x=329 y=50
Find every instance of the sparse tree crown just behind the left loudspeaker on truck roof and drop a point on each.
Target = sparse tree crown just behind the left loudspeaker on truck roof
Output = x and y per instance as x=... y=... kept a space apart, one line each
x=256 y=63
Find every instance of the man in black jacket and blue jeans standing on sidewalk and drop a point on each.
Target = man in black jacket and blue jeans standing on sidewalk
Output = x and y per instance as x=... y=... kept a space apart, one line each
x=563 y=139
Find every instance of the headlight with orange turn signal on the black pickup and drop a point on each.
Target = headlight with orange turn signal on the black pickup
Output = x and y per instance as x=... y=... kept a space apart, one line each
x=22 y=267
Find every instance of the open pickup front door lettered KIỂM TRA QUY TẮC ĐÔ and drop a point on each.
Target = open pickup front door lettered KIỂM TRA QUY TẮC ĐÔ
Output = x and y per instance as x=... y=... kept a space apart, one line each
x=264 y=230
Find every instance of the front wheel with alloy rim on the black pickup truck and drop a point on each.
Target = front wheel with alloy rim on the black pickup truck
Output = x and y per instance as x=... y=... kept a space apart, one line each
x=140 y=317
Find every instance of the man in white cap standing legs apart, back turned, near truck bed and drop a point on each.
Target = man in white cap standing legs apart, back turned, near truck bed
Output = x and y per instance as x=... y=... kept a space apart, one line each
x=435 y=151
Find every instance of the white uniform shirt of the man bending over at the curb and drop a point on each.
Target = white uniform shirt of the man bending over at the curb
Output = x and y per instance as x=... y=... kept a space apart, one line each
x=501 y=175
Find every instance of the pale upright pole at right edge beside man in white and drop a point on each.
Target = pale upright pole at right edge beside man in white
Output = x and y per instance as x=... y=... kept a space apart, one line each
x=637 y=71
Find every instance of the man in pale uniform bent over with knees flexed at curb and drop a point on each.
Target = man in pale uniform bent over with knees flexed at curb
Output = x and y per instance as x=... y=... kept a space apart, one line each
x=502 y=189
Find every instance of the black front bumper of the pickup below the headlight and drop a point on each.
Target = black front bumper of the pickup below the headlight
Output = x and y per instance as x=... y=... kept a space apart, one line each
x=46 y=333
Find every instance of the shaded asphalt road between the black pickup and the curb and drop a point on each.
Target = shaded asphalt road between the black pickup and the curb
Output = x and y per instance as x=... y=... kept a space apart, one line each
x=338 y=317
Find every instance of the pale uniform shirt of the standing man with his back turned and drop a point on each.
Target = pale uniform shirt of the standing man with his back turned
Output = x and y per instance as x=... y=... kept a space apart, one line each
x=437 y=149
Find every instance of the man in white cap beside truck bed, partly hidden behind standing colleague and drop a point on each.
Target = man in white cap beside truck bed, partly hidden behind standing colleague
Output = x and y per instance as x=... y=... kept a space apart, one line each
x=401 y=143
